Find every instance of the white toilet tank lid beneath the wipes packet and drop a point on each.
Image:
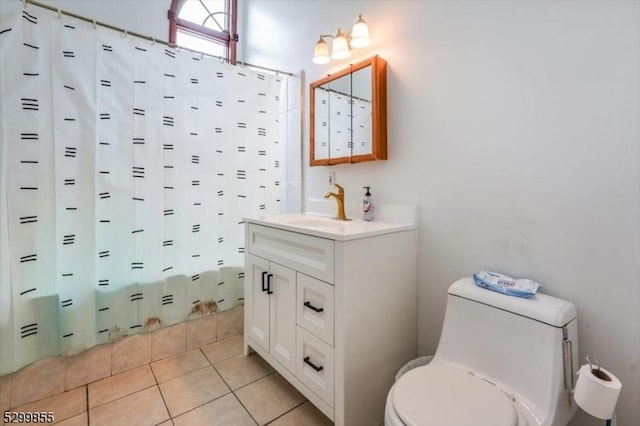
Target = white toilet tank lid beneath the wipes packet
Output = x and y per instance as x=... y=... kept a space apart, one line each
x=541 y=307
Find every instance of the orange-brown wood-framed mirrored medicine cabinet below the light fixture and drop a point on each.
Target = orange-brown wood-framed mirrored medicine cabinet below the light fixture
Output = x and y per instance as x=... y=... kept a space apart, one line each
x=349 y=115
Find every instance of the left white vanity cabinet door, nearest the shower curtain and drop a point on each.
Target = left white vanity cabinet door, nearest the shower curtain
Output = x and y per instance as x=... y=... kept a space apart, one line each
x=257 y=300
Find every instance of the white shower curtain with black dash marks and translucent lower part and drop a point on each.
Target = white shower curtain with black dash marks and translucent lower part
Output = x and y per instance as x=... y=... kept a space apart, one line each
x=126 y=169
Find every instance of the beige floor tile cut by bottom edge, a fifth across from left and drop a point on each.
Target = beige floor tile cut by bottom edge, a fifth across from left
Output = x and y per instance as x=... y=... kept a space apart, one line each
x=141 y=408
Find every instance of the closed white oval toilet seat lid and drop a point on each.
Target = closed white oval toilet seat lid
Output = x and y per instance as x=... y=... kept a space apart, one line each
x=448 y=395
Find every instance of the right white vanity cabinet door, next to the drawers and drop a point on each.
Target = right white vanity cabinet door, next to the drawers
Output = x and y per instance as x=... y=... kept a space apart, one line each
x=282 y=283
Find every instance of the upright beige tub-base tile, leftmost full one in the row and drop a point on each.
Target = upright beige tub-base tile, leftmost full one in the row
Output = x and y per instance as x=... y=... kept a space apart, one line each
x=37 y=381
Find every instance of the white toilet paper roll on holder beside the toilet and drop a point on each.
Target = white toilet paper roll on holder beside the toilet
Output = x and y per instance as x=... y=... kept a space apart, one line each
x=597 y=392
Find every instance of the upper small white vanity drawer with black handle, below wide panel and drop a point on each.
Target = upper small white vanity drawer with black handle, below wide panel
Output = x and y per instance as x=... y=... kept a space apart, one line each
x=314 y=307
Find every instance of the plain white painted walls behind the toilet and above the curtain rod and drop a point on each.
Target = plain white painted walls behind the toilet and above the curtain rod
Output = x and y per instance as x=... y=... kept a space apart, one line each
x=515 y=126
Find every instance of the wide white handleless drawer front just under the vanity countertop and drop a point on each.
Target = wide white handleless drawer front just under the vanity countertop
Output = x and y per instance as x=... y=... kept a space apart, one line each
x=305 y=253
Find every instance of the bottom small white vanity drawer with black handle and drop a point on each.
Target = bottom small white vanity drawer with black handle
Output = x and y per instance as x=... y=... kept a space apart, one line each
x=315 y=365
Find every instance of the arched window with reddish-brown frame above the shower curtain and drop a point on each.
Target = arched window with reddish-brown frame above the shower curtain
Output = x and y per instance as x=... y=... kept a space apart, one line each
x=208 y=26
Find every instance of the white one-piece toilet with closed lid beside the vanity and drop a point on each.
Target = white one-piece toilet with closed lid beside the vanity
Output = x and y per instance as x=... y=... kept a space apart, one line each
x=501 y=361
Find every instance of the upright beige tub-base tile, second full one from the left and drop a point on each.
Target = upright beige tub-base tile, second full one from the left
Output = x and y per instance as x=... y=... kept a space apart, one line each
x=88 y=366
